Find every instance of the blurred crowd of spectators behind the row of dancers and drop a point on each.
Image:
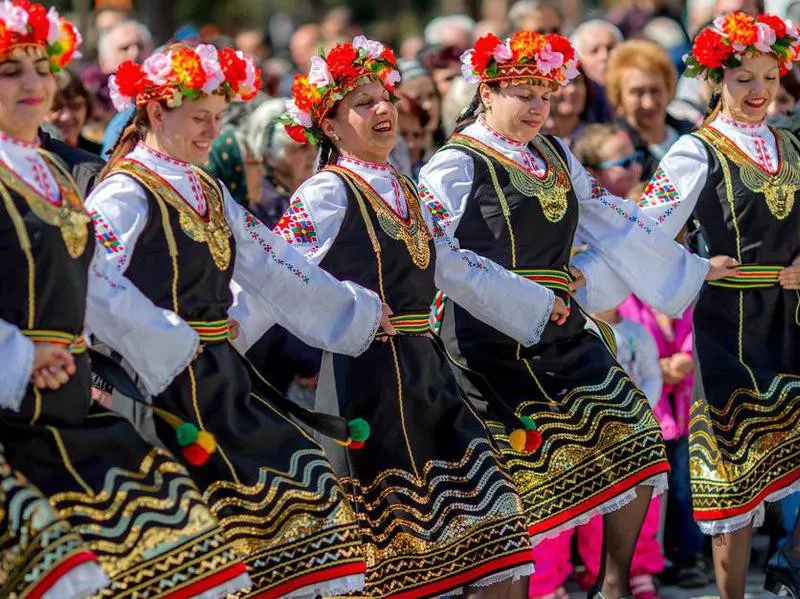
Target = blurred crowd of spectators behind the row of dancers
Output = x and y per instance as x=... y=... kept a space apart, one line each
x=620 y=116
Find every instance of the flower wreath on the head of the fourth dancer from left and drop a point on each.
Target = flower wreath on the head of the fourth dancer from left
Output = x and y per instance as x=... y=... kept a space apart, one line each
x=525 y=57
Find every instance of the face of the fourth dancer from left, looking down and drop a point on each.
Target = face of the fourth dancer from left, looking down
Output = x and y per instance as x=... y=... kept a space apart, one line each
x=517 y=111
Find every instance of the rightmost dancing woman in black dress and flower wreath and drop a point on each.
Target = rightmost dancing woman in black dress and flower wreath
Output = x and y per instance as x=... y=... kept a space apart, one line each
x=740 y=180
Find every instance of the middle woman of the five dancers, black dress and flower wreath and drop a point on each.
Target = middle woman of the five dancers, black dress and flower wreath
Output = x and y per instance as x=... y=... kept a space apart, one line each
x=438 y=514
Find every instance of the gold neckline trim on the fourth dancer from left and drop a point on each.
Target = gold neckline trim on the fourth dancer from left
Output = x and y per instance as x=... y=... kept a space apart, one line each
x=551 y=190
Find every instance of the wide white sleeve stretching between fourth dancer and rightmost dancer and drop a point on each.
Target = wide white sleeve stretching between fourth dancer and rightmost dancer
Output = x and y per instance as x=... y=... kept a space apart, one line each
x=630 y=252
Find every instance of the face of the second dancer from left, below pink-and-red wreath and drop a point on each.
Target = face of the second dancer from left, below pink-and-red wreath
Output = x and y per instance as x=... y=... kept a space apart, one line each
x=186 y=132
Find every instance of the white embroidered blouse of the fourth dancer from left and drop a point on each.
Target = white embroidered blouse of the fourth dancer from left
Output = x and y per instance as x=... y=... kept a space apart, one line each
x=622 y=239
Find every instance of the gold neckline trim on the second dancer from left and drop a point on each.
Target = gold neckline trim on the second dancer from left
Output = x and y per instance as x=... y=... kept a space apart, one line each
x=212 y=230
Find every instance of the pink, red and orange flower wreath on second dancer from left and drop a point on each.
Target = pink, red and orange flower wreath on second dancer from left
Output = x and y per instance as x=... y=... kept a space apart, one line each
x=182 y=72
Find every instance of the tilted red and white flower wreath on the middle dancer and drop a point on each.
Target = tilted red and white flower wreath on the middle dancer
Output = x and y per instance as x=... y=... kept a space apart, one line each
x=331 y=78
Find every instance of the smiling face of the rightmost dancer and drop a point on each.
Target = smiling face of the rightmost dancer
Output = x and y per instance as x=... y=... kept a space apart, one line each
x=748 y=90
